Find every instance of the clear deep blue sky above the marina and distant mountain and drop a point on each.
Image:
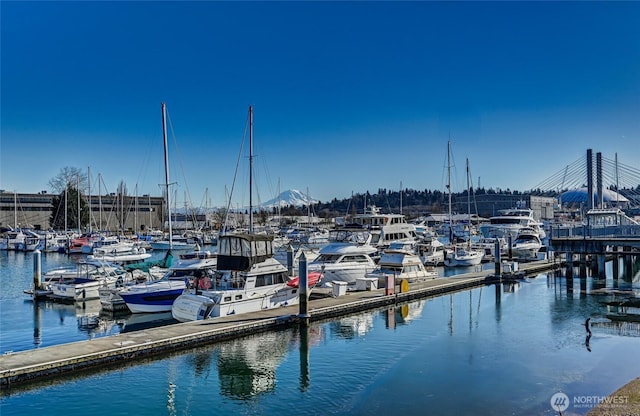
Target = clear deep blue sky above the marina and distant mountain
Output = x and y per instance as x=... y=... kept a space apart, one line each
x=347 y=96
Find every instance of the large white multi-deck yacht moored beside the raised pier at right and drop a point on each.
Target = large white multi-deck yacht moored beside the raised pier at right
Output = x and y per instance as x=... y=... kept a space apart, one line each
x=509 y=223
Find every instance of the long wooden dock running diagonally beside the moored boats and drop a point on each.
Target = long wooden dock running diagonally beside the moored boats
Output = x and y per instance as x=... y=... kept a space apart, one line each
x=33 y=365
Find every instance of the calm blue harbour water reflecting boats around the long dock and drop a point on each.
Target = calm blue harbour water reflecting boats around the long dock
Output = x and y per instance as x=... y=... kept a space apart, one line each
x=495 y=350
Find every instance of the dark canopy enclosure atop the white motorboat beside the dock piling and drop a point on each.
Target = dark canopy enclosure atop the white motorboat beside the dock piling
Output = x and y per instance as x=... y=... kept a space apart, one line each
x=241 y=251
